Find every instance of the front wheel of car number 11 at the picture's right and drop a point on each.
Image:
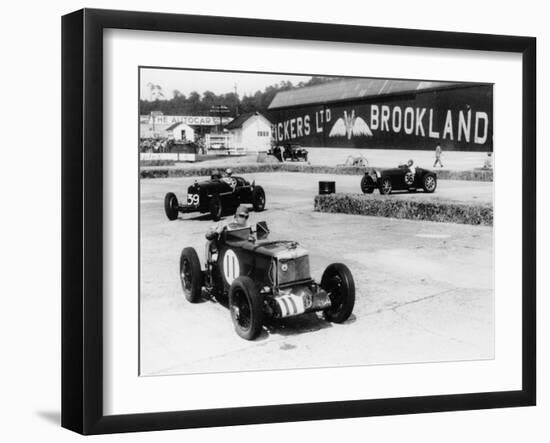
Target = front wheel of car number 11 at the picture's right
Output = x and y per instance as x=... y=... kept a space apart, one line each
x=338 y=282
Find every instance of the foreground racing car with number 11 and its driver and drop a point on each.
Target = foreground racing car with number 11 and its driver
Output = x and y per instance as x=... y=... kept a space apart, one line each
x=263 y=279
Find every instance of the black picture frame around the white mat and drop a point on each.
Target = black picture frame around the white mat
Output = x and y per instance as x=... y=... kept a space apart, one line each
x=82 y=215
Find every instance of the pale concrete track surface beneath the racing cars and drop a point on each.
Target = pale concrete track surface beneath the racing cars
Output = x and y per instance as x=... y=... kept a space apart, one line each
x=424 y=289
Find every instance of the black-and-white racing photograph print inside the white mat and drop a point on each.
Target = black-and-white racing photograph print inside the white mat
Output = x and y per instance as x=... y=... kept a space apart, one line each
x=310 y=221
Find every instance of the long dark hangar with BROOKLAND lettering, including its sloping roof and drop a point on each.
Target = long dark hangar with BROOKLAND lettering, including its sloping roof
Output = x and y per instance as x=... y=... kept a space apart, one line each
x=386 y=114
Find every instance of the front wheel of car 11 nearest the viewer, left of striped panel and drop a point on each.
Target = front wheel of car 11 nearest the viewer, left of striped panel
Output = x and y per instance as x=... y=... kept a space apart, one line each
x=246 y=308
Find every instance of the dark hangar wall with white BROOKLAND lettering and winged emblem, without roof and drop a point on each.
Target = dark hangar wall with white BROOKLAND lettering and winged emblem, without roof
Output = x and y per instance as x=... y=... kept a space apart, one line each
x=418 y=123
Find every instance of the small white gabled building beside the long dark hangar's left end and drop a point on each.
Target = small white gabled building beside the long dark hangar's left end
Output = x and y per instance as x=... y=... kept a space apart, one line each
x=250 y=132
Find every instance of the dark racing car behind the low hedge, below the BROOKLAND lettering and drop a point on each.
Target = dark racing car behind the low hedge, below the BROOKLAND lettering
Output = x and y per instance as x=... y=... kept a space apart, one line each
x=402 y=178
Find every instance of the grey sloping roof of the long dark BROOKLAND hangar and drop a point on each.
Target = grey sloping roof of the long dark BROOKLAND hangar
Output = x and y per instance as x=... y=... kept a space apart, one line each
x=351 y=89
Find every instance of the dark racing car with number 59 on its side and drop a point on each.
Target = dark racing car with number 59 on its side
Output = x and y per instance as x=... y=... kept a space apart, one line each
x=217 y=196
